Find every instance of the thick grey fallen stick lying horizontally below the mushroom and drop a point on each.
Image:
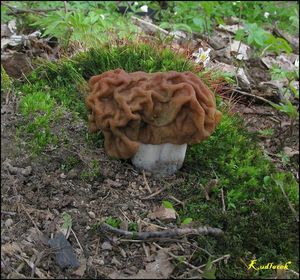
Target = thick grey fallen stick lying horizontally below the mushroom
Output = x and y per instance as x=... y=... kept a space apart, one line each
x=162 y=234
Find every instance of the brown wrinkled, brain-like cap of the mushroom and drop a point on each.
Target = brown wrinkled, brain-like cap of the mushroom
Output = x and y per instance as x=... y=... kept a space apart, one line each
x=134 y=108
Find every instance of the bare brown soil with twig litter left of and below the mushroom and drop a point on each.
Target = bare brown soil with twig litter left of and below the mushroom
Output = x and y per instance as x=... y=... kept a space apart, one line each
x=33 y=204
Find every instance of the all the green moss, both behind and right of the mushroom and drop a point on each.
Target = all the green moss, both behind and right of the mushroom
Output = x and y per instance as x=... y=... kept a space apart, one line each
x=258 y=222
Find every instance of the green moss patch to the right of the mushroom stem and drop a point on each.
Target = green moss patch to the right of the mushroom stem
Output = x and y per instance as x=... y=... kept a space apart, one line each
x=257 y=221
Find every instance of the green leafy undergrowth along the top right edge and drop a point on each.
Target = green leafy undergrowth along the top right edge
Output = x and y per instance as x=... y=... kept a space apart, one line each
x=202 y=16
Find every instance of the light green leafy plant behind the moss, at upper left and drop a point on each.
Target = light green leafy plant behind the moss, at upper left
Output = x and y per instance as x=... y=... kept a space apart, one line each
x=90 y=28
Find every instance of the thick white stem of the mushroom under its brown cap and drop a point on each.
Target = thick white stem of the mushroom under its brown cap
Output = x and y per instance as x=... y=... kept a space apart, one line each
x=160 y=160
